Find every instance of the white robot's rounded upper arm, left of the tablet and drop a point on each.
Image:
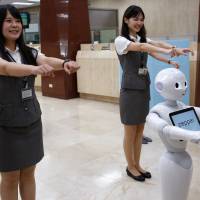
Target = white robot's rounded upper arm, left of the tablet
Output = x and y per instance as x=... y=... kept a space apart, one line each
x=155 y=122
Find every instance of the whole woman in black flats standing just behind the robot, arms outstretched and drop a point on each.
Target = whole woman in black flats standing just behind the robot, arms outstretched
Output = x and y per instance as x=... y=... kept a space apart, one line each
x=133 y=48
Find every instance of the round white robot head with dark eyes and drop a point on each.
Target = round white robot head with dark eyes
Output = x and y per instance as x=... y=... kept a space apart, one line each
x=171 y=84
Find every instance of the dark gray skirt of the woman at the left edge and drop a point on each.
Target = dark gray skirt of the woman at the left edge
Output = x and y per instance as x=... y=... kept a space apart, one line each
x=20 y=147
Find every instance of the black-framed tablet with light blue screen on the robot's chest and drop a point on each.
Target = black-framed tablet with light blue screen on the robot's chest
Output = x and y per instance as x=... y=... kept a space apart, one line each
x=186 y=119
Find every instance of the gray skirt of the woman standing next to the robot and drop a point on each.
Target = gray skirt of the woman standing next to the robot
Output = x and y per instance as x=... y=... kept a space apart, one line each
x=134 y=106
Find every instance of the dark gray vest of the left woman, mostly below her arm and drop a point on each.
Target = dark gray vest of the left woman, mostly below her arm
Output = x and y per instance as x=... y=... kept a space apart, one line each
x=14 y=112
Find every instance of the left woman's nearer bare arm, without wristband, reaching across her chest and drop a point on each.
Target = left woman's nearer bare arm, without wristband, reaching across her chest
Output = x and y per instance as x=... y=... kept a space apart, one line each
x=19 y=70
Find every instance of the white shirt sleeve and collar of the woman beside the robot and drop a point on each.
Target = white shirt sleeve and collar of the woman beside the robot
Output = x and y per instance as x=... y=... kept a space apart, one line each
x=121 y=43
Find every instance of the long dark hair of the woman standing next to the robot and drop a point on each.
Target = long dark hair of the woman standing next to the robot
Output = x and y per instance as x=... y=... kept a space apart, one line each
x=133 y=11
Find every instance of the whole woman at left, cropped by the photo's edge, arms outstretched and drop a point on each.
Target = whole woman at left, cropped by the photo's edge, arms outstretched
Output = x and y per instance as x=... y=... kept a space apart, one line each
x=21 y=145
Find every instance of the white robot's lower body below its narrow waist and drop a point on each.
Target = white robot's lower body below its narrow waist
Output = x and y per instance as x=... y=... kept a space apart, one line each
x=176 y=173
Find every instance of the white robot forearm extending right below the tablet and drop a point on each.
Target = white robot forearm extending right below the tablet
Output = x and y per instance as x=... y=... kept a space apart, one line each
x=177 y=133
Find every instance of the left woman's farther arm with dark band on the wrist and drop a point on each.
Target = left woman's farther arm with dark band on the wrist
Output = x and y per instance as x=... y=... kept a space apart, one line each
x=58 y=64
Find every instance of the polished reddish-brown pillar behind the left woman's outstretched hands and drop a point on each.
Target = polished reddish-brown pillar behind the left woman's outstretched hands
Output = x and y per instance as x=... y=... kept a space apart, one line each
x=64 y=25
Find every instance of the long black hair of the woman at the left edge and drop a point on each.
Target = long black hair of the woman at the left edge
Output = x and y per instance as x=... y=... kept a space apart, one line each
x=24 y=49
